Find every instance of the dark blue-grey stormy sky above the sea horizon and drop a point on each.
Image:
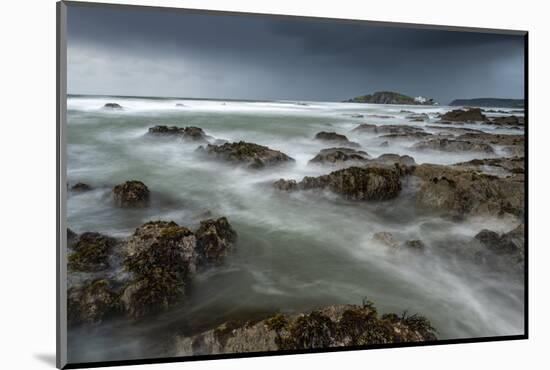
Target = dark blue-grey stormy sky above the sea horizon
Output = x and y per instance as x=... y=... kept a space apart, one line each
x=151 y=52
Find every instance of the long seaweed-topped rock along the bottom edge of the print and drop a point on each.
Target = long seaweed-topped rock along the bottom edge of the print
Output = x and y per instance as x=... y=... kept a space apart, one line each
x=328 y=327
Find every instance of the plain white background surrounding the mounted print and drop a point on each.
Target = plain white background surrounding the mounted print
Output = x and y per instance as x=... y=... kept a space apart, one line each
x=27 y=183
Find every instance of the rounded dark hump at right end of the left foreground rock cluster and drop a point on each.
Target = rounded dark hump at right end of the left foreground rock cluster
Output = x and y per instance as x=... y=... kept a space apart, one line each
x=214 y=240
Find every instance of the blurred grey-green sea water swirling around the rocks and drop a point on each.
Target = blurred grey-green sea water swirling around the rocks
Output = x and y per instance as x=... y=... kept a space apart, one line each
x=295 y=251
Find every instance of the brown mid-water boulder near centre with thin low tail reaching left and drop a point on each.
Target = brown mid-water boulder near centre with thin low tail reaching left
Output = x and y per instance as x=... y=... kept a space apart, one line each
x=353 y=183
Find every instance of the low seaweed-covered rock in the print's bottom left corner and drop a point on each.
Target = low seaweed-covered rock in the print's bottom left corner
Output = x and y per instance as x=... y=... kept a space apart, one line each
x=91 y=302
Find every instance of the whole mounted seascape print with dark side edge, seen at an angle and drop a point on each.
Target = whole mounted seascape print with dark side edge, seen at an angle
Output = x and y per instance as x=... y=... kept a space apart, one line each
x=235 y=184
